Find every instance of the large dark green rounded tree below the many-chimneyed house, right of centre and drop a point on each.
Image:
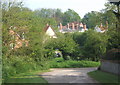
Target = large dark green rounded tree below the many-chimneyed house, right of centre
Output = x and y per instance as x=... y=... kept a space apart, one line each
x=92 y=44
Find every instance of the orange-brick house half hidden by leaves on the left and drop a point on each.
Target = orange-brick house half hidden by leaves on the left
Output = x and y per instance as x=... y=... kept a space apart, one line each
x=17 y=40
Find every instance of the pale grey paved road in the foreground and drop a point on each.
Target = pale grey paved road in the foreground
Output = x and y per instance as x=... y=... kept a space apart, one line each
x=69 y=75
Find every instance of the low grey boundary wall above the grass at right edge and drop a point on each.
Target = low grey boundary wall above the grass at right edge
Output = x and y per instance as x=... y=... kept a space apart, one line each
x=109 y=66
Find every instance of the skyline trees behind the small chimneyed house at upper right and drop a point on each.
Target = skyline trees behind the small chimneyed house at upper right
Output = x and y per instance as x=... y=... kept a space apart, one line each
x=94 y=18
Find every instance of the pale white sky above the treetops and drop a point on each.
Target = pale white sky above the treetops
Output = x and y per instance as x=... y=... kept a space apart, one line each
x=80 y=6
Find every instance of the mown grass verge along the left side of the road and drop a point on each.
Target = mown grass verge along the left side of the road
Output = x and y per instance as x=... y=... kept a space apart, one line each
x=27 y=78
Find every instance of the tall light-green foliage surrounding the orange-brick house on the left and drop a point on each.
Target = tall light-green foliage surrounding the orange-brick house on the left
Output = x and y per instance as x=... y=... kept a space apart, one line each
x=28 y=58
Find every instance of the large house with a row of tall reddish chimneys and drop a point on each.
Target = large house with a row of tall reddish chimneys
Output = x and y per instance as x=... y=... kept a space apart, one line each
x=72 y=27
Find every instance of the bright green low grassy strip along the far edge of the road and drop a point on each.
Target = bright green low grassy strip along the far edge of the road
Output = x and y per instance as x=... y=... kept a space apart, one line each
x=61 y=63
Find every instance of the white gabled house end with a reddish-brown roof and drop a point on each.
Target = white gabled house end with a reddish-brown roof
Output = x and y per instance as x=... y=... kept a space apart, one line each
x=50 y=32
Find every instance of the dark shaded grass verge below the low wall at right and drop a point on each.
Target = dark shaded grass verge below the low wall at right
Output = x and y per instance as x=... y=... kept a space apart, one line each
x=105 y=78
